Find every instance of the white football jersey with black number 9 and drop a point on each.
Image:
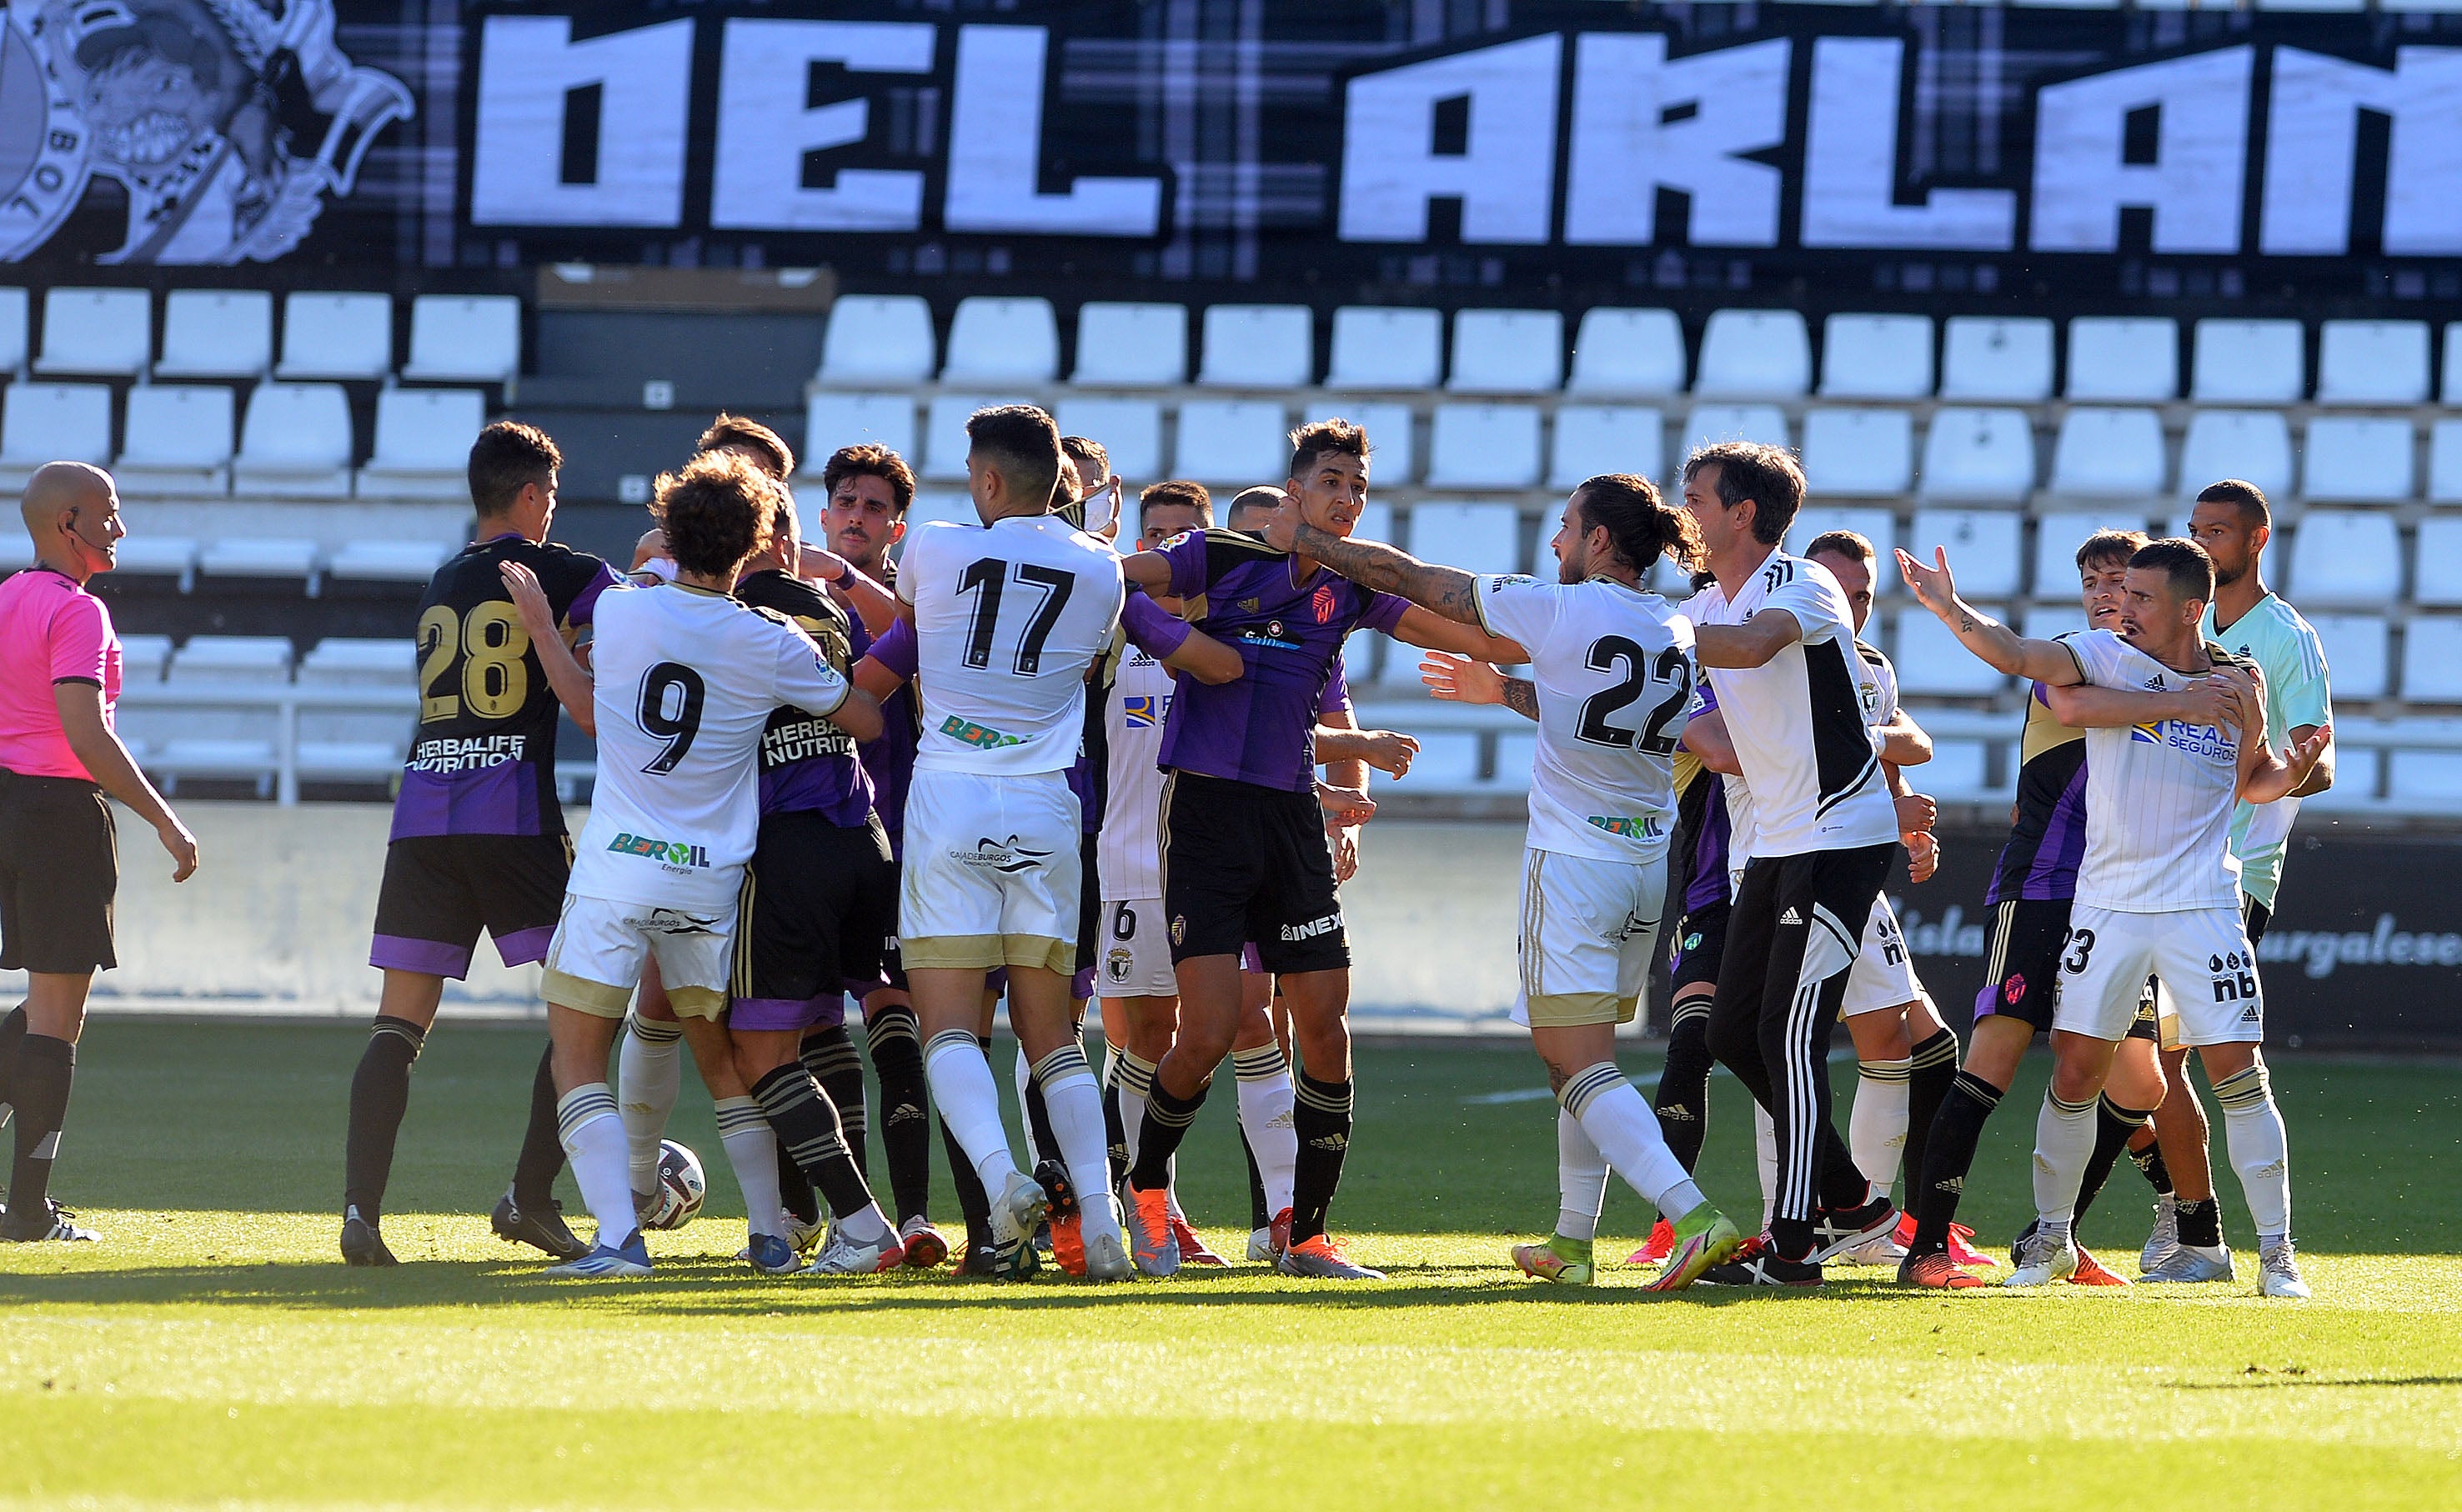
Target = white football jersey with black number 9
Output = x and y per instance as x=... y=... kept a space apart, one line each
x=686 y=683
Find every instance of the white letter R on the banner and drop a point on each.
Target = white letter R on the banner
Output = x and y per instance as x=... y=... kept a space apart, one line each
x=1643 y=124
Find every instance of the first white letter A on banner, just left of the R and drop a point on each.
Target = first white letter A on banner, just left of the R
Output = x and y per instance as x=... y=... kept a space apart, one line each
x=1506 y=174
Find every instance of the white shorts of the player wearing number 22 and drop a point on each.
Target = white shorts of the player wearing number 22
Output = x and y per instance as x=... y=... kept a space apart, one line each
x=1587 y=937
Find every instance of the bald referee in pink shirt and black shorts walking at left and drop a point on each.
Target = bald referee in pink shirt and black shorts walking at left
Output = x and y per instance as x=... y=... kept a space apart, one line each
x=60 y=674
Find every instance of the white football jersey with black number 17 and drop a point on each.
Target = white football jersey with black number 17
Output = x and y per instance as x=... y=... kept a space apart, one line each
x=1008 y=619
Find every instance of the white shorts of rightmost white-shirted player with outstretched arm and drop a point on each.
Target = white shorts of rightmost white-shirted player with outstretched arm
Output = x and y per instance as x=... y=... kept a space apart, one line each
x=2202 y=959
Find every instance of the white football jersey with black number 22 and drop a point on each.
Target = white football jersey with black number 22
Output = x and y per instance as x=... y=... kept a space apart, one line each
x=1616 y=676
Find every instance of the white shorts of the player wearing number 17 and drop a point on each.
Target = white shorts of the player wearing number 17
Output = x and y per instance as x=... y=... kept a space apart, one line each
x=991 y=873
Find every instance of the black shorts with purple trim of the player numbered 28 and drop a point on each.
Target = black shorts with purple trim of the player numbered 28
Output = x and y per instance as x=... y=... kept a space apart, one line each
x=442 y=890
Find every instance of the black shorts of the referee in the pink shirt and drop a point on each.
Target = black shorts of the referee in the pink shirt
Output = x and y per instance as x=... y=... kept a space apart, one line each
x=60 y=868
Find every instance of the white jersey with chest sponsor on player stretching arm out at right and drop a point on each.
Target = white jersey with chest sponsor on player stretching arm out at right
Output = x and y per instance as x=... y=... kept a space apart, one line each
x=2158 y=797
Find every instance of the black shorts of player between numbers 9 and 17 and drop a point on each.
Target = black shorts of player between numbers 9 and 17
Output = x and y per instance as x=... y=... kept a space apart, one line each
x=819 y=900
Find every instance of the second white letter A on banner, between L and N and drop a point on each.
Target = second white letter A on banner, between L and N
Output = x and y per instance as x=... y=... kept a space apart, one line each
x=2200 y=169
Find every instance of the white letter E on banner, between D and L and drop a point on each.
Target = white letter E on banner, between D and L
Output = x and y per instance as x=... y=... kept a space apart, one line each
x=767 y=132
